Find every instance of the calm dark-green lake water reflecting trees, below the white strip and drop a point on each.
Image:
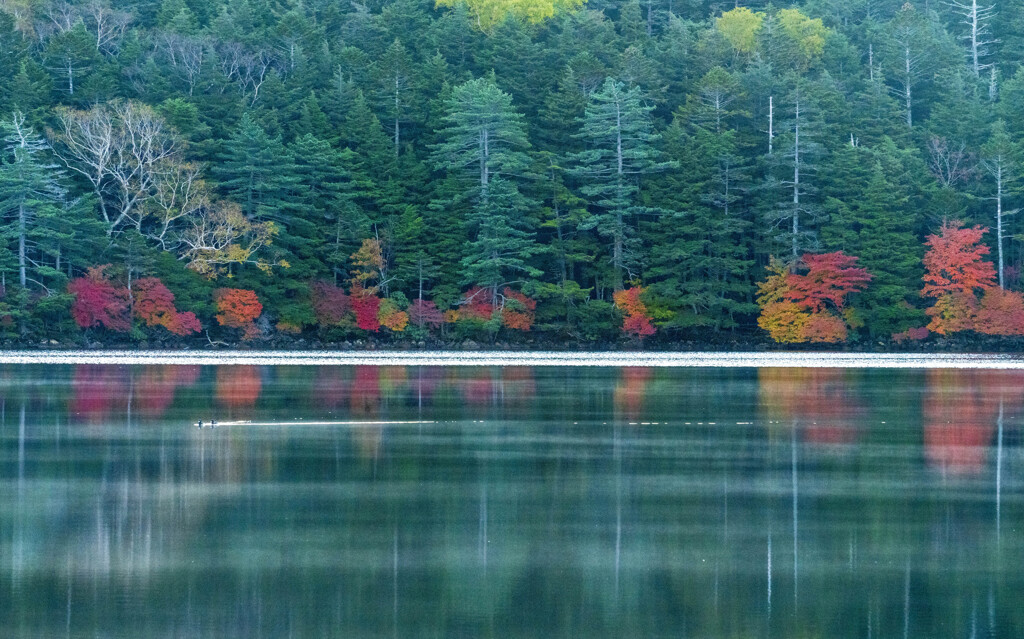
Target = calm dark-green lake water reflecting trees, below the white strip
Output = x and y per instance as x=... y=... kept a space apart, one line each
x=527 y=502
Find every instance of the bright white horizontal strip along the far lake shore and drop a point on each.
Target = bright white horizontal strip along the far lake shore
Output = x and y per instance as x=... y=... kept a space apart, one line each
x=823 y=360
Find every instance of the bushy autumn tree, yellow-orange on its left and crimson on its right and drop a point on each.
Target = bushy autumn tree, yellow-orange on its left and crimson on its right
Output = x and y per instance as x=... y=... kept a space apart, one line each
x=810 y=307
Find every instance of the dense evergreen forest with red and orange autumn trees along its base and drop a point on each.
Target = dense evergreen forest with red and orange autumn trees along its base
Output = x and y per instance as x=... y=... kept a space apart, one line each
x=570 y=172
